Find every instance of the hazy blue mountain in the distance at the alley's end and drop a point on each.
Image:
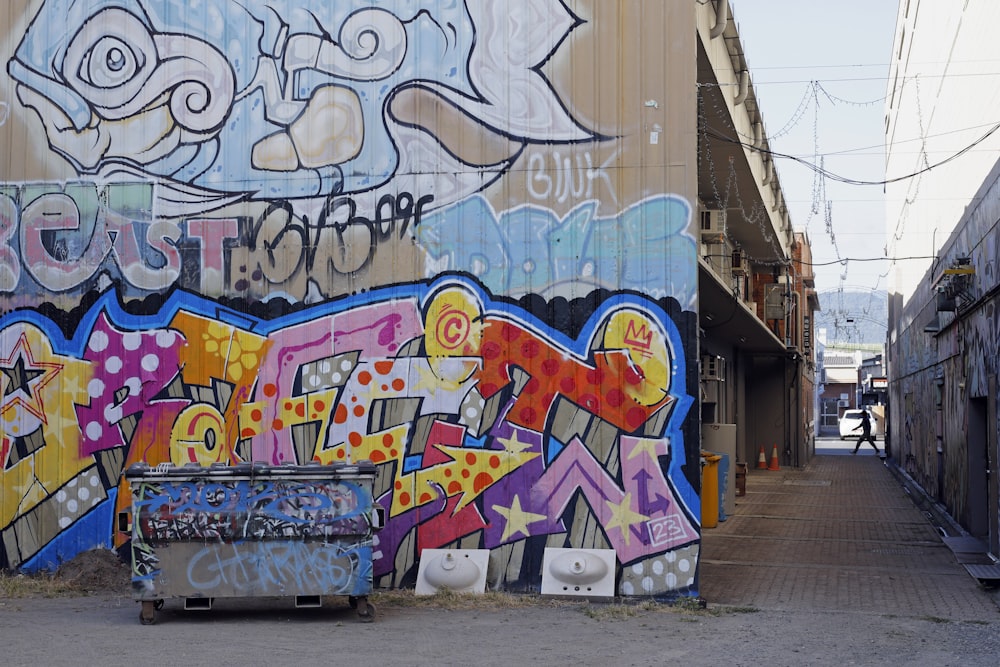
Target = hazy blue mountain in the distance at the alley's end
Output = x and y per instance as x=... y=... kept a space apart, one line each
x=852 y=317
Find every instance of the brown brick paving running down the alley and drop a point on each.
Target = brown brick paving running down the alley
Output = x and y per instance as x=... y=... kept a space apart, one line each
x=840 y=534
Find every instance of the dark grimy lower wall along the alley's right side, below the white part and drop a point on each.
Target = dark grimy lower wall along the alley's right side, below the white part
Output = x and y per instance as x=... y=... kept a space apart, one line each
x=941 y=376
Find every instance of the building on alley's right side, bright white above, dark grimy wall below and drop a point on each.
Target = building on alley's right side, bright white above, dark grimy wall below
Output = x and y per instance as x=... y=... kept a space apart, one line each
x=943 y=207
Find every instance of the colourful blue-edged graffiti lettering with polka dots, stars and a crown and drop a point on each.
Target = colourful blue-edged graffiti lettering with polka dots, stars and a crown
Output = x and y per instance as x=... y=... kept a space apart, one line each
x=481 y=421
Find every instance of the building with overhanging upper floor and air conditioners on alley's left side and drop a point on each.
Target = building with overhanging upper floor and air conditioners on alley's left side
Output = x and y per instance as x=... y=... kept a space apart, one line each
x=756 y=284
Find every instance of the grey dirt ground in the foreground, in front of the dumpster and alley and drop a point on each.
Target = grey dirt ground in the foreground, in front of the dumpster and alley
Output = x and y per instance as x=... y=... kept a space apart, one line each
x=101 y=626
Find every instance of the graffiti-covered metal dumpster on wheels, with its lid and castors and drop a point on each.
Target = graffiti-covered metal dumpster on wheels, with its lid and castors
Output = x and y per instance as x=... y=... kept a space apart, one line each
x=252 y=530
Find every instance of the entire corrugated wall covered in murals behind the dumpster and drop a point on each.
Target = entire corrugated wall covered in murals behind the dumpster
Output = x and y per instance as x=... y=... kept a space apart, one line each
x=422 y=233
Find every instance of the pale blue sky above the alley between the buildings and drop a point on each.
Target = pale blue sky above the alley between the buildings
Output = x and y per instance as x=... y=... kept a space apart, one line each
x=836 y=53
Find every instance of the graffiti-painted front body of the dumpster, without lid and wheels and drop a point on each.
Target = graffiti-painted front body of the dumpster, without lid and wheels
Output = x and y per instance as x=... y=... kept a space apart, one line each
x=247 y=537
